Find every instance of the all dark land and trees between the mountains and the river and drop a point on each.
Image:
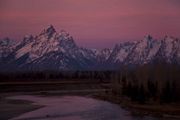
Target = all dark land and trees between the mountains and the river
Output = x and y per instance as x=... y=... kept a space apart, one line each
x=138 y=91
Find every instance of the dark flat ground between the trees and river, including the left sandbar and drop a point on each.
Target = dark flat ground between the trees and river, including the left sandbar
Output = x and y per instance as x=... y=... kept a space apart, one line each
x=99 y=90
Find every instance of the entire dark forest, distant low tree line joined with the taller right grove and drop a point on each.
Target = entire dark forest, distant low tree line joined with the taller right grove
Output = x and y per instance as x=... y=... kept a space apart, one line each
x=150 y=83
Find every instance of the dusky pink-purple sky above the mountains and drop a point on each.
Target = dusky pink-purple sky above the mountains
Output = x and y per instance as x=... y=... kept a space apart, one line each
x=92 y=23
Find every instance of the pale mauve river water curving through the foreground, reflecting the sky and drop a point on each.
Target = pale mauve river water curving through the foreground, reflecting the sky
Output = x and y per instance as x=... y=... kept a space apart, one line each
x=75 y=108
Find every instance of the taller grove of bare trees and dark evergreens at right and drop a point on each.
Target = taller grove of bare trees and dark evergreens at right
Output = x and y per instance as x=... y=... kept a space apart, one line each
x=158 y=83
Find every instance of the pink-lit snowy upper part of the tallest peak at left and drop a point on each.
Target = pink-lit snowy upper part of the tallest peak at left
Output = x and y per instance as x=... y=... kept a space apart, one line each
x=47 y=42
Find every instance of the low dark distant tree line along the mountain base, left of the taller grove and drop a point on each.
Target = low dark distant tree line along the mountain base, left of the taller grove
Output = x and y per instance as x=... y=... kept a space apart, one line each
x=54 y=75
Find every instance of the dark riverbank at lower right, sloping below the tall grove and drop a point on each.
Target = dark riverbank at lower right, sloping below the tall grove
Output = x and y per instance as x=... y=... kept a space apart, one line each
x=162 y=111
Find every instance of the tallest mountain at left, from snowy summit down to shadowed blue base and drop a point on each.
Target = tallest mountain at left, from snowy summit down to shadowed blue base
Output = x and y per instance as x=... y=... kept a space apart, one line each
x=51 y=50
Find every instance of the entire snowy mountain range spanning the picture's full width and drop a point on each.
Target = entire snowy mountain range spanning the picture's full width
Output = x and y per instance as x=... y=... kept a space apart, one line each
x=51 y=50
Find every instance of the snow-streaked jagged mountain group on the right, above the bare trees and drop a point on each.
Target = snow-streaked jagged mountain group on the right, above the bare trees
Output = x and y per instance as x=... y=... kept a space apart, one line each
x=146 y=51
